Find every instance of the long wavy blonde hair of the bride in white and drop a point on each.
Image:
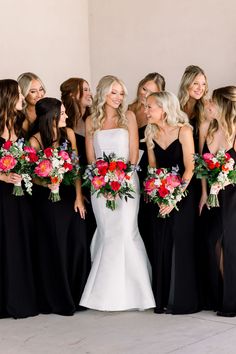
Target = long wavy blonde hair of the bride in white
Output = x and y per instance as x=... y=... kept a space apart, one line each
x=104 y=88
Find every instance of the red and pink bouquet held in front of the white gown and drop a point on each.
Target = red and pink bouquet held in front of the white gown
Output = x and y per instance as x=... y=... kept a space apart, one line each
x=110 y=176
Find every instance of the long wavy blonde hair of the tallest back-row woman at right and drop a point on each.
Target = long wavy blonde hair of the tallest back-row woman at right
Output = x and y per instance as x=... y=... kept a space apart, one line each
x=187 y=79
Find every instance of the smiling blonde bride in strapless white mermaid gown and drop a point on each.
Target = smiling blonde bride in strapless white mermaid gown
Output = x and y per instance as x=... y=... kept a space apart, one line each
x=120 y=275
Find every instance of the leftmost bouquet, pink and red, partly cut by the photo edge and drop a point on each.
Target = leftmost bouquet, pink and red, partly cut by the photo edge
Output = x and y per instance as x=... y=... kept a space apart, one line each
x=19 y=158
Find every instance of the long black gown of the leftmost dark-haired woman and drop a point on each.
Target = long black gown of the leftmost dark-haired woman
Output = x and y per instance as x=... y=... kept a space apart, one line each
x=17 y=233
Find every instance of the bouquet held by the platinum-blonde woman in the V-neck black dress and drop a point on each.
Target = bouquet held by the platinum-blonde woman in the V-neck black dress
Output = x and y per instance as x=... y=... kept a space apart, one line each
x=164 y=186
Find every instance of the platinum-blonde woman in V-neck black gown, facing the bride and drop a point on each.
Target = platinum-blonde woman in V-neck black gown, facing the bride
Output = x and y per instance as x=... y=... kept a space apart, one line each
x=169 y=141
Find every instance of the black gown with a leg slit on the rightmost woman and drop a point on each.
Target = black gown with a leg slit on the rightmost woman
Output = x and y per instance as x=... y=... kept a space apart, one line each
x=220 y=239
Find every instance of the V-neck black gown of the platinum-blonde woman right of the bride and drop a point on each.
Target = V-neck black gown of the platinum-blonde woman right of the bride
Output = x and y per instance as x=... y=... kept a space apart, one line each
x=173 y=240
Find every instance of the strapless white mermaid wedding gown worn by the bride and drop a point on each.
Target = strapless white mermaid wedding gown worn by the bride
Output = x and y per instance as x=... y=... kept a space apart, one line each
x=120 y=275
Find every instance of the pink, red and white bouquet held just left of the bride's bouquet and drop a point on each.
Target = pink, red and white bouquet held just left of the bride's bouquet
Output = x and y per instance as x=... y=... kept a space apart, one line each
x=54 y=166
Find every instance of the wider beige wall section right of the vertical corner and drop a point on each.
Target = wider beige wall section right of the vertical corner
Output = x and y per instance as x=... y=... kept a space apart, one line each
x=130 y=38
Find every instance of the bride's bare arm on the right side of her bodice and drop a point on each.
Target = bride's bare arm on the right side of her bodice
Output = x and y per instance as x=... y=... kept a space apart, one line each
x=133 y=138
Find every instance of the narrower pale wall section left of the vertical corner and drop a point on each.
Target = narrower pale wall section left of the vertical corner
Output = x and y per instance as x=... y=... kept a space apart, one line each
x=47 y=37
